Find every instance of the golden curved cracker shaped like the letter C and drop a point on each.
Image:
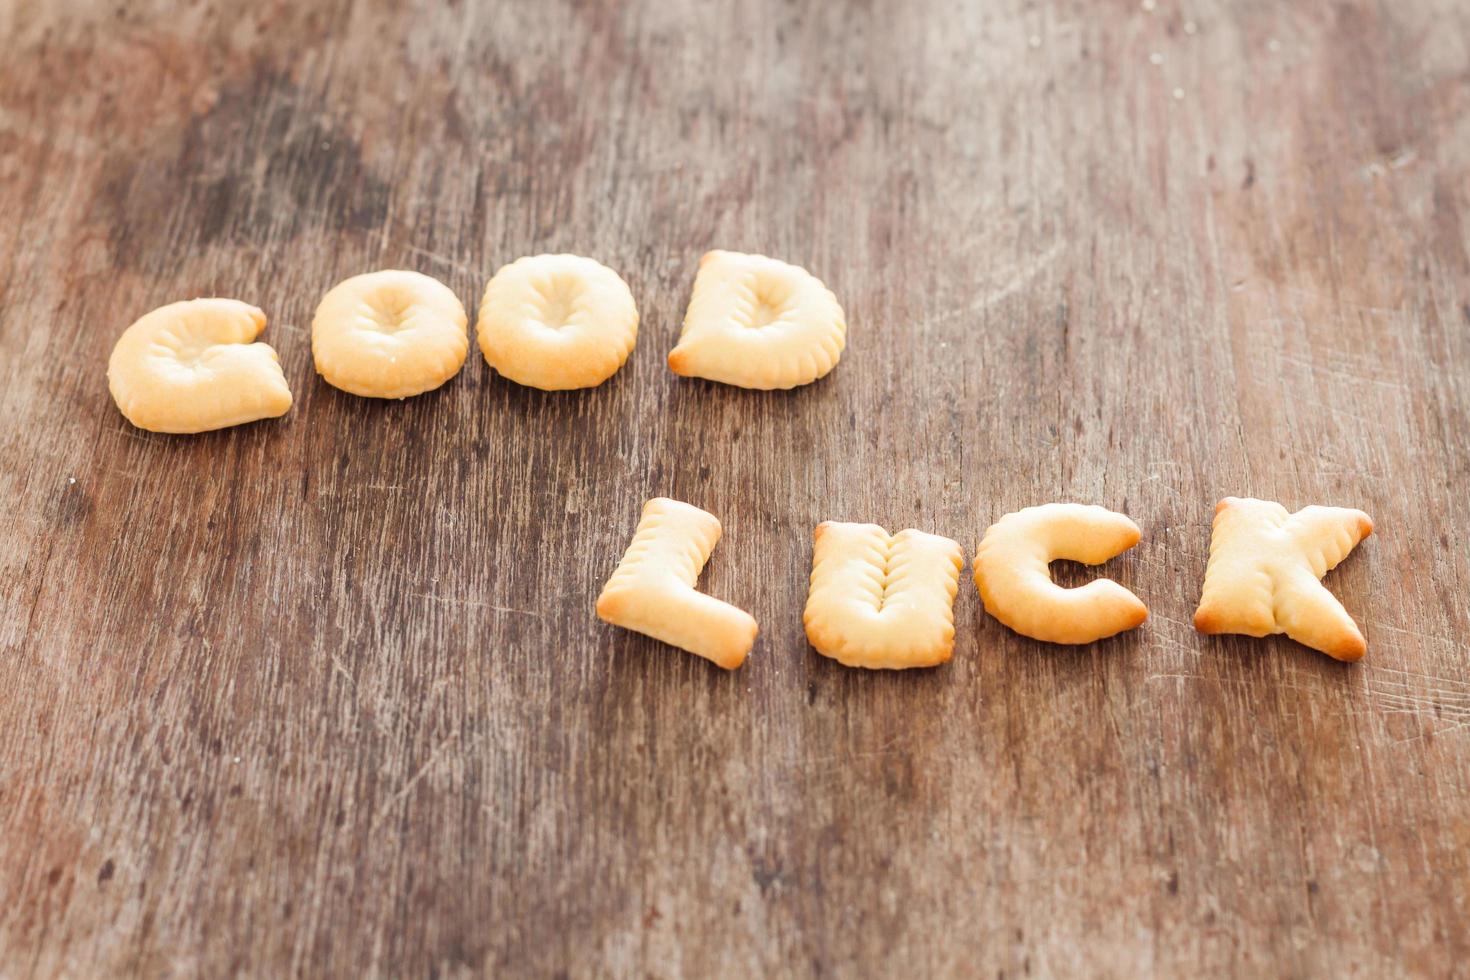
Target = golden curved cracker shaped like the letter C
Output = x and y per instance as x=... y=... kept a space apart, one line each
x=1017 y=587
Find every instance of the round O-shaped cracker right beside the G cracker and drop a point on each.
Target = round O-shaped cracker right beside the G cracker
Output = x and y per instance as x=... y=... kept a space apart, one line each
x=389 y=334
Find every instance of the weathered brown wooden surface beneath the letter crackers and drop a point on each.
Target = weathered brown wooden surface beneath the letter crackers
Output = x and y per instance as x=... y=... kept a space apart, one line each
x=326 y=696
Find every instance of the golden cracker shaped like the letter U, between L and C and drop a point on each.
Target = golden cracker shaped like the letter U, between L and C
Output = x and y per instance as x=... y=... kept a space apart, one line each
x=880 y=600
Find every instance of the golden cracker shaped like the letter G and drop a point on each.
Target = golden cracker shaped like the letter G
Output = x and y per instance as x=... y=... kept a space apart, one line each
x=192 y=367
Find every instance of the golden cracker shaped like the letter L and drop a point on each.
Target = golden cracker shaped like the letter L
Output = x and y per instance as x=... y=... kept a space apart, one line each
x=652 y=590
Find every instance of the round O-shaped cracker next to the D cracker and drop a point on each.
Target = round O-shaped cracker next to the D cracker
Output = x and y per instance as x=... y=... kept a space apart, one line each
x=558 y=323
